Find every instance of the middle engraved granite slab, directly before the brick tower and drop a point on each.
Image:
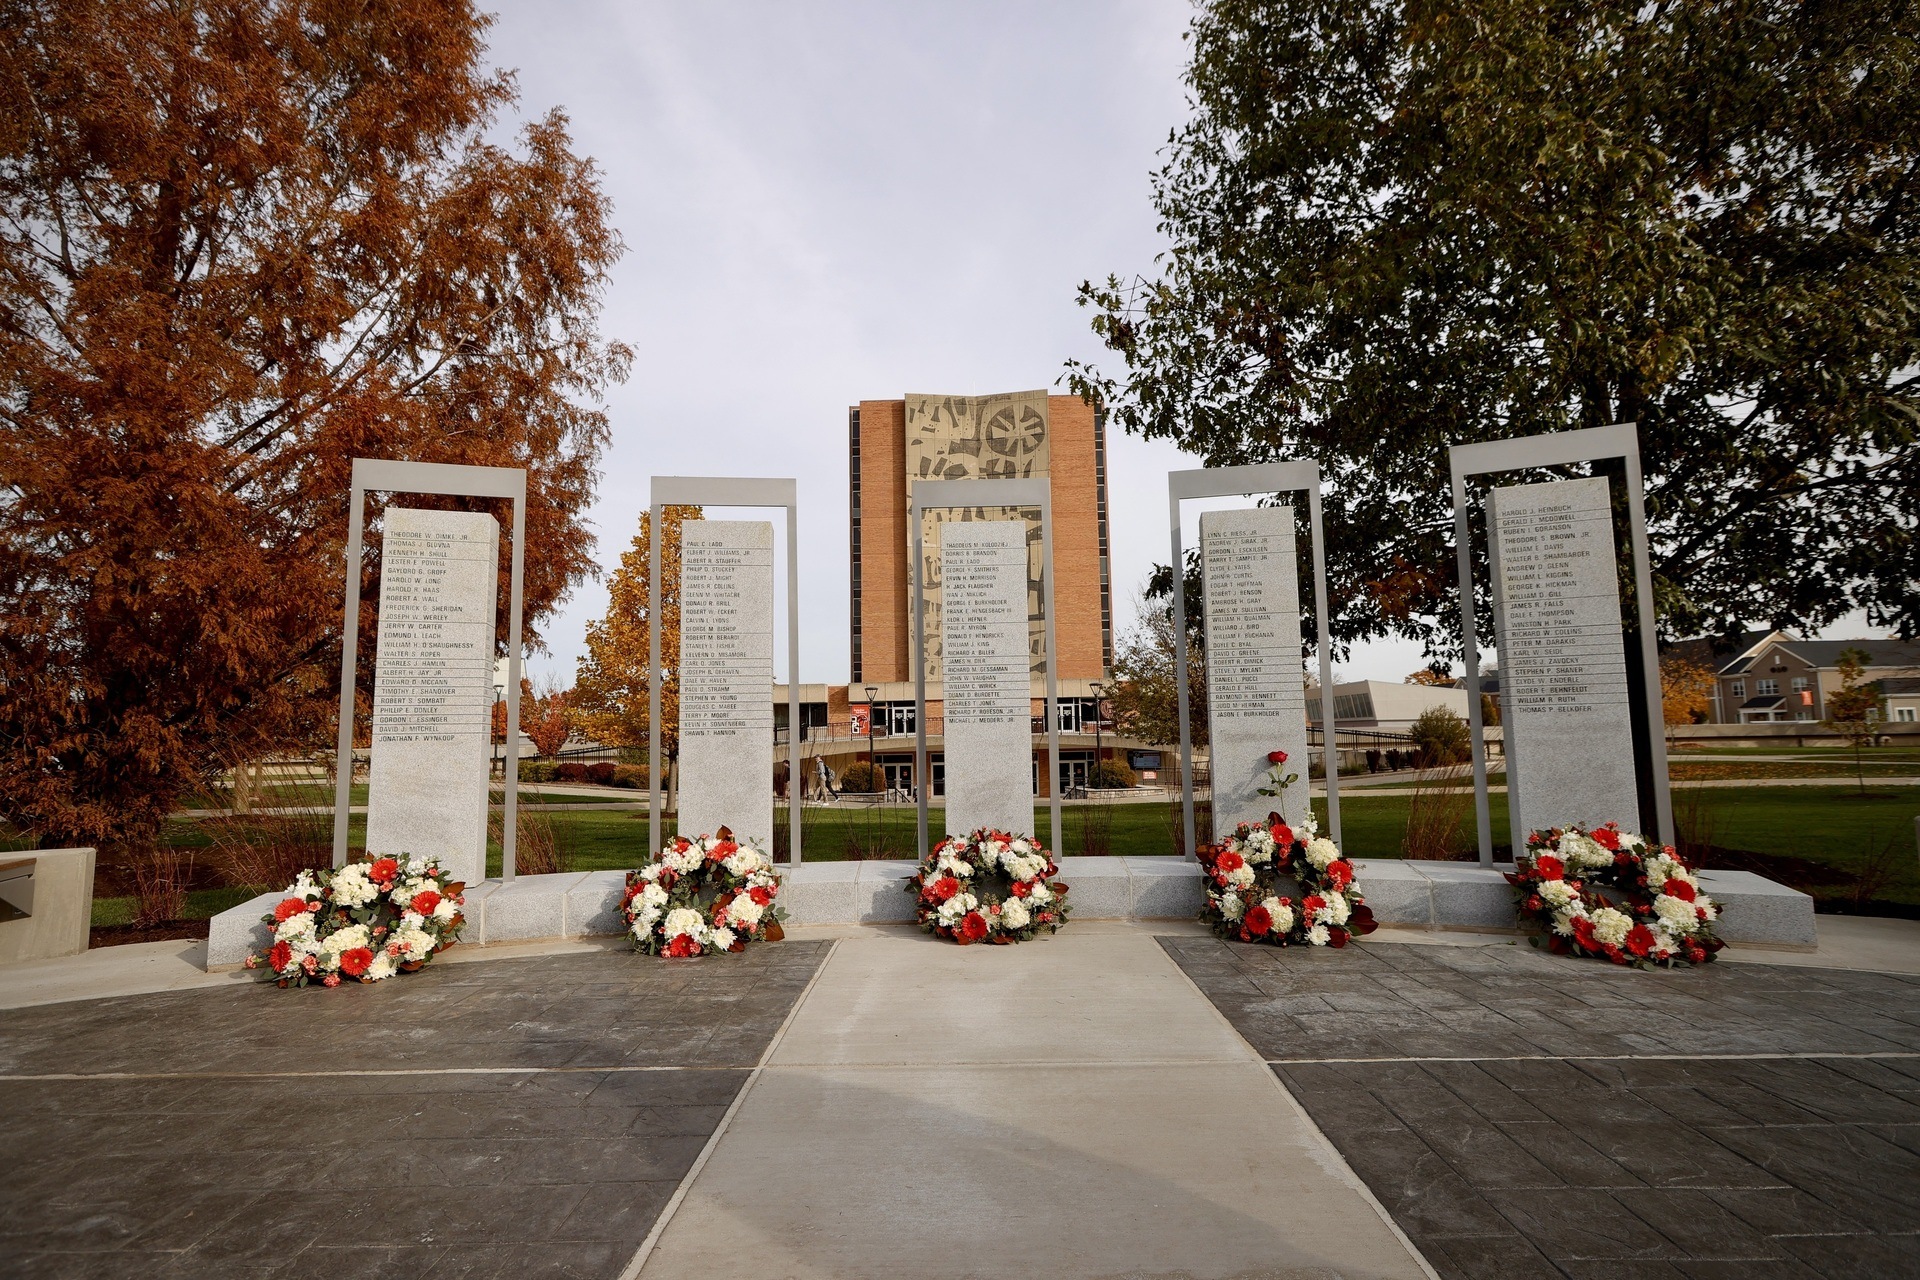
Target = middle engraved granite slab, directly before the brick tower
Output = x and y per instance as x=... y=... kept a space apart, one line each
x=990 y=747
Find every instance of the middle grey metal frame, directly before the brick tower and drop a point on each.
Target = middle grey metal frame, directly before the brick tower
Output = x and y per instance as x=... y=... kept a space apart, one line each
x=926 y=496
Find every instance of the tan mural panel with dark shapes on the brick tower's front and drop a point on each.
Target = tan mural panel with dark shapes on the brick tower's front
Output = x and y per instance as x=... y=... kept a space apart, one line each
x=978 y=439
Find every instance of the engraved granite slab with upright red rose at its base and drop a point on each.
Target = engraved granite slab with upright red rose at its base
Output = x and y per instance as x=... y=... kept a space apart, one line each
x=1257 y=696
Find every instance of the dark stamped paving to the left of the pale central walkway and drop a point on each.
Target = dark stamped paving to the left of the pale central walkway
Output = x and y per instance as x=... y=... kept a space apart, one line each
x=521 y=1118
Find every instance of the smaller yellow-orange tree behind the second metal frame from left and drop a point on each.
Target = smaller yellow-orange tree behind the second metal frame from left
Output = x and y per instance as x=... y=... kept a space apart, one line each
x=612 y=684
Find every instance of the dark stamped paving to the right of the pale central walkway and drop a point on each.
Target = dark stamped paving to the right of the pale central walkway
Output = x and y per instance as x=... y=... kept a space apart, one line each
x=1531 y=1116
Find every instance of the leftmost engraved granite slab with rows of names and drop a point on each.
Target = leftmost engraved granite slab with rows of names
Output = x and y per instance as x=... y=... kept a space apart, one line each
x=433 y=688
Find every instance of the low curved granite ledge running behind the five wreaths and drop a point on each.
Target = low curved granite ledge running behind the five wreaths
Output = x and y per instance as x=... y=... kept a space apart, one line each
x=1426 y=895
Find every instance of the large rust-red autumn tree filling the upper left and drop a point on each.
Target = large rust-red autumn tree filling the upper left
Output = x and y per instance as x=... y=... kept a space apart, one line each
x=243 y=245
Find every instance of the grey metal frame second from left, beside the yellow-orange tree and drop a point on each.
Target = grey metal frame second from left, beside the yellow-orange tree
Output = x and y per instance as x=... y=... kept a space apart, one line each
x=727 y=492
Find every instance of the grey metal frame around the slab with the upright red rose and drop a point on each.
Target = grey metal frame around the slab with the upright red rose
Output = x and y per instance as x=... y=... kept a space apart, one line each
x=1243 y=483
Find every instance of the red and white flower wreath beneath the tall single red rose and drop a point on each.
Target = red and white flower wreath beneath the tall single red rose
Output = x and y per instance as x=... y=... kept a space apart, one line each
x=1245 y=878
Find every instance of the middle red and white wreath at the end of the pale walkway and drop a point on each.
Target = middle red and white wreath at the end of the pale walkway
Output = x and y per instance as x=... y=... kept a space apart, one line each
x=988 y=888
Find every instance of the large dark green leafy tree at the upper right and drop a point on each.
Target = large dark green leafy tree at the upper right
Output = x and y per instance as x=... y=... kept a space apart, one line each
x=1401 y=225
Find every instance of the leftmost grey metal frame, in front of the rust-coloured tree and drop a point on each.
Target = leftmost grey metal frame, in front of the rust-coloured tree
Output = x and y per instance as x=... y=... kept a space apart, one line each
x=444 y=481
